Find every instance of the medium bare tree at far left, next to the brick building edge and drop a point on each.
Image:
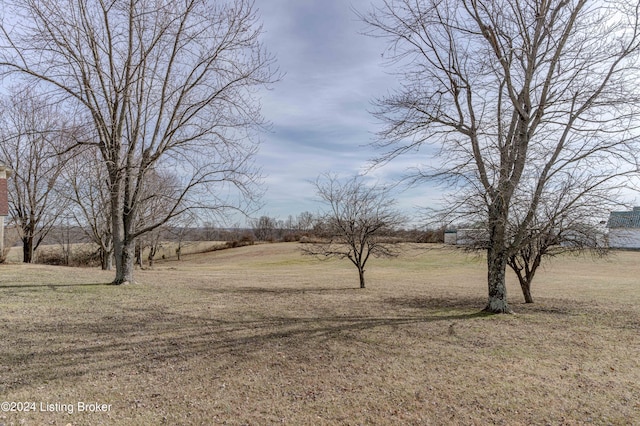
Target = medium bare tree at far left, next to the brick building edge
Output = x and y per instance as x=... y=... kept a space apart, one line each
x=31 y=135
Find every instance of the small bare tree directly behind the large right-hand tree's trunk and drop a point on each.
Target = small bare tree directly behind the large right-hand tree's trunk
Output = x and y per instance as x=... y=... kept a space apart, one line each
x=567 y=221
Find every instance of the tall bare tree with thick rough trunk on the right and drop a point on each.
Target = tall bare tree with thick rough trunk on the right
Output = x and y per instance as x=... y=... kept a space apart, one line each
x=520 y=96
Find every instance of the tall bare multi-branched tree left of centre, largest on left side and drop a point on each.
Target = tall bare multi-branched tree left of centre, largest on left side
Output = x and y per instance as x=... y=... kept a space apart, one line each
x=167 y=85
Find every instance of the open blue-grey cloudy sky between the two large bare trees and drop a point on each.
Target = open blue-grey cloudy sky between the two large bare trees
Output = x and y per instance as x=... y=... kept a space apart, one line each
x=320 y=110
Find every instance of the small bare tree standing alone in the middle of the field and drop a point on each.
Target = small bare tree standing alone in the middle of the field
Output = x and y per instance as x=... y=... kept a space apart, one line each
x=357 y=222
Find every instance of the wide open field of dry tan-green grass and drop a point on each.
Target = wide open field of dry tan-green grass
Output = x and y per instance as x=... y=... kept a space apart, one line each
x=261 y=335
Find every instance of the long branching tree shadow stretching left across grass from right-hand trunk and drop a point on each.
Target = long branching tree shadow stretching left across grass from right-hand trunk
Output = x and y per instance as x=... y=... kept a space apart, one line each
x=144 y=339
